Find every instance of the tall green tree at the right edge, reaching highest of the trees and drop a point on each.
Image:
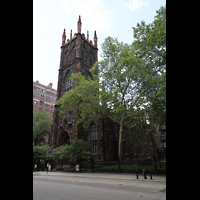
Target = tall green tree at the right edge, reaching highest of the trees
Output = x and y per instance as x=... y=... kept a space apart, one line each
x=150 y=47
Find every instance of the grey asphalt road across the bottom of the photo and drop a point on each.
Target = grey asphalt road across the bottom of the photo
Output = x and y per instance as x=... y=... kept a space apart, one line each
x=76 y=188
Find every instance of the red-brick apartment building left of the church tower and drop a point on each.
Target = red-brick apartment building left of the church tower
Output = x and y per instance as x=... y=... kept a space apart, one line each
x=44 y=97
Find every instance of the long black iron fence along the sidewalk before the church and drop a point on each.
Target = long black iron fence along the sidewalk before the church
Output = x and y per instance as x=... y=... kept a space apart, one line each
x=156 y=166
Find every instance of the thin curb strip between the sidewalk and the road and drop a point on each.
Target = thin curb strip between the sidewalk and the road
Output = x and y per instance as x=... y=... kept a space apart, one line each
x=97 y=177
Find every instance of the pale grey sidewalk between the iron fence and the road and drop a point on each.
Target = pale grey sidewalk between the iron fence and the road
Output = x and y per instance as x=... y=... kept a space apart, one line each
x=104 y=175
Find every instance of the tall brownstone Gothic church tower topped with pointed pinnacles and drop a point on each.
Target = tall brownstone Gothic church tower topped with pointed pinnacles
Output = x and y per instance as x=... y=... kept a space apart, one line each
x=78 y=54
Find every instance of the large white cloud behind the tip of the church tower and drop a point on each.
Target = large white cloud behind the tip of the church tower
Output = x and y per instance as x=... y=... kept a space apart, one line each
x=93 y=14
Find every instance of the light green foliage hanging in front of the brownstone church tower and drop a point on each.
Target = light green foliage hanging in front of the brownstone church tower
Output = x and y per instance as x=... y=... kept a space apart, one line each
x=79 y=99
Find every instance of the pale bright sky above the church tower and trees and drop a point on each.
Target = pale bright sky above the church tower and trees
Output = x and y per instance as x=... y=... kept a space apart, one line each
x=113 y=18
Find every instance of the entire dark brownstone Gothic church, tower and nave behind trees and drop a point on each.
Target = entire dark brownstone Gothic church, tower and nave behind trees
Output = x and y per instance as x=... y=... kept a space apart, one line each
x=78 y=54
